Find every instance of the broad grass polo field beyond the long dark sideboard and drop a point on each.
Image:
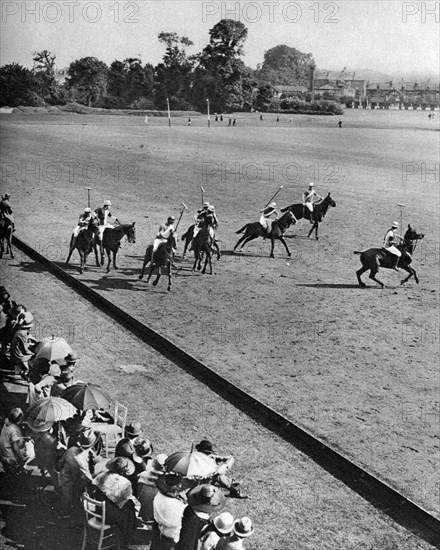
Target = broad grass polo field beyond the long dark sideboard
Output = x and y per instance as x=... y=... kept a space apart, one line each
x=358 y=367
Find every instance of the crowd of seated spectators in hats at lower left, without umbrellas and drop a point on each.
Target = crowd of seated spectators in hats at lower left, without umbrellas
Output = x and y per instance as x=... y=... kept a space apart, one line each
x=141 y=488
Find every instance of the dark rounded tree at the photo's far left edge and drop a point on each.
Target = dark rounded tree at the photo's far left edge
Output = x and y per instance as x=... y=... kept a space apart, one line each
x=18 y=86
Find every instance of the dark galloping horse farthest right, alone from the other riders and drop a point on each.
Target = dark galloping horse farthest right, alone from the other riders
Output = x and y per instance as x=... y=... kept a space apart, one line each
x=374 y=258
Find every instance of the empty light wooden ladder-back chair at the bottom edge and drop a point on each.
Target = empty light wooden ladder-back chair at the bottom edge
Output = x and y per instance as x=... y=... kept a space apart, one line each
x=105 y=536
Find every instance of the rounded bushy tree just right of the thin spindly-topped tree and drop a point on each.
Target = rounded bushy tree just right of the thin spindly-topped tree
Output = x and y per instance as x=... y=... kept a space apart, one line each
x=87 y=78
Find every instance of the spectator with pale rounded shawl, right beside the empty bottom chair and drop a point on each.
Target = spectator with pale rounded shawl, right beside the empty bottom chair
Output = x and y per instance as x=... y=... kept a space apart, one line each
x=113 y=487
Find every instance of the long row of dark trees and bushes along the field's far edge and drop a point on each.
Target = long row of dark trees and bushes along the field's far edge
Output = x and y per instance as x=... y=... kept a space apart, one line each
x=185 y=80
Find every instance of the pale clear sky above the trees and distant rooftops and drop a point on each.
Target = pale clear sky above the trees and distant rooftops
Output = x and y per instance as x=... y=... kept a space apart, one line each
x=388 y=36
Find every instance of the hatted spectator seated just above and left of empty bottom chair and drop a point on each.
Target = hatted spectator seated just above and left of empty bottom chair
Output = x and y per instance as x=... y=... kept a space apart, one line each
x=77 y=467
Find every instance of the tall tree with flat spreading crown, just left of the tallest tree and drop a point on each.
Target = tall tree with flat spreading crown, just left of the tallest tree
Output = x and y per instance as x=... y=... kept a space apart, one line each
x=173 y=77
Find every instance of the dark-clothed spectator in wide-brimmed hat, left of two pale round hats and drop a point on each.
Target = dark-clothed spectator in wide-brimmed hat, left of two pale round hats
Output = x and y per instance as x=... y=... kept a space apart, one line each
x=202 y=501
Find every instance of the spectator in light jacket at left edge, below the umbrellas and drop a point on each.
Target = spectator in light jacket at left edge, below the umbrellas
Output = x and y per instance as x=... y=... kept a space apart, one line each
x=12 y=454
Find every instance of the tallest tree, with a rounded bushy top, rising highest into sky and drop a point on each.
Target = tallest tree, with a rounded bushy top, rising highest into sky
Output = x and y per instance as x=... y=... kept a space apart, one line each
x=221 y=76
